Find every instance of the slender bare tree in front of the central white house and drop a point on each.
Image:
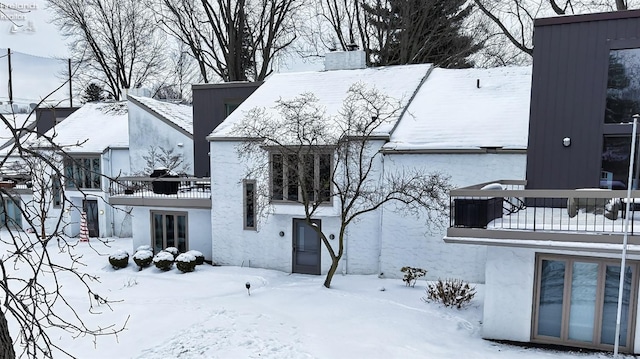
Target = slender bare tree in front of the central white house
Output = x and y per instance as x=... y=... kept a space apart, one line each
x=333 y=160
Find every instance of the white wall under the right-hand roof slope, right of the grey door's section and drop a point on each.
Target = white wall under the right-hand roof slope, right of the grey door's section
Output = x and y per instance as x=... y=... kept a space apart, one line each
x=407 y=241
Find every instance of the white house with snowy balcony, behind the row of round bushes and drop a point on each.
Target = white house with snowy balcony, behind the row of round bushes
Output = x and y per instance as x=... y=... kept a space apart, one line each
x=174 y=212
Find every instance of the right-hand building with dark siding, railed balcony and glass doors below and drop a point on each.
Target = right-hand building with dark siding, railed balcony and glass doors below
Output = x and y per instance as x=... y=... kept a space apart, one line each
x=554 y=241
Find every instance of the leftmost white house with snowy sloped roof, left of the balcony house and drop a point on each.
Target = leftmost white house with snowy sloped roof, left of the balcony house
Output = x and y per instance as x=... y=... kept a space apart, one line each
x=96 y=148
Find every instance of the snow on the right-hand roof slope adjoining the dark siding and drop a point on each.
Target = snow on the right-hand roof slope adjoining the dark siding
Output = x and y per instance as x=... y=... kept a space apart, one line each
x=451 y=112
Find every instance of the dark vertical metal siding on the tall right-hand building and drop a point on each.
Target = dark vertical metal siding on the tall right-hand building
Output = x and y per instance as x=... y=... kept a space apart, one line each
x=568 y=97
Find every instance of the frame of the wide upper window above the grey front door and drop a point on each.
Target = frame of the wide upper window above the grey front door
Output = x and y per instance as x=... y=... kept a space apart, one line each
x=285 y=195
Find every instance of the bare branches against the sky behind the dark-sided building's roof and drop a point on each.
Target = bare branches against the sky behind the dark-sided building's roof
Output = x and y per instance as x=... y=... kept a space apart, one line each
x=511 y=23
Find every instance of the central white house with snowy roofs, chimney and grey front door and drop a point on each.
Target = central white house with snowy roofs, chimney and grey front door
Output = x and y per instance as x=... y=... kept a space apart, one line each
x=436 y=131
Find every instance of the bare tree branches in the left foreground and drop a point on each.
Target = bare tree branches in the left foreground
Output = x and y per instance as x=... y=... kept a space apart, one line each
x=36 y=254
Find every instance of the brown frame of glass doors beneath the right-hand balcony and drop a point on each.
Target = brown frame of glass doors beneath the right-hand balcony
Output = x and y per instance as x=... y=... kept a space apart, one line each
x=599 y=302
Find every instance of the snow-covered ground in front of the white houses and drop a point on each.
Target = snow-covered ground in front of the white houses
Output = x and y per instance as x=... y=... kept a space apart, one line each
x=209 y=314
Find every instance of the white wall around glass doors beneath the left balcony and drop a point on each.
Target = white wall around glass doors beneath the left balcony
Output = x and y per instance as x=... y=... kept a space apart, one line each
x=198 y=227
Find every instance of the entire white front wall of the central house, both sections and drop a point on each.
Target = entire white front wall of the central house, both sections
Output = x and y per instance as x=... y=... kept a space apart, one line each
x=382 y=241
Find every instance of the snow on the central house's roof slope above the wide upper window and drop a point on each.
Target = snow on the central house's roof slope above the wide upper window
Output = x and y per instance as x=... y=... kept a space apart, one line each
x=330 y=87
